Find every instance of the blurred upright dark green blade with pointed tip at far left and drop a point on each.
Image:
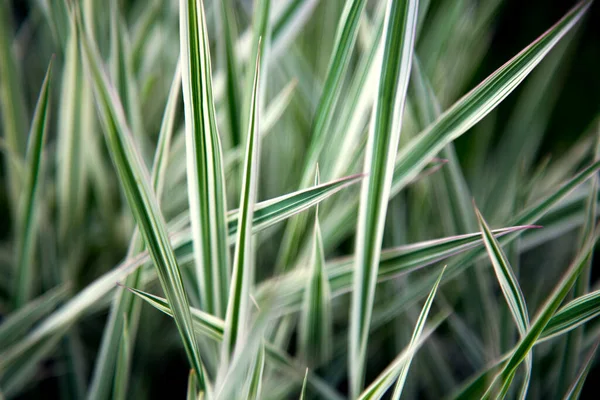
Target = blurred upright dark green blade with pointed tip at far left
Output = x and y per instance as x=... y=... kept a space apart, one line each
x=28 y=204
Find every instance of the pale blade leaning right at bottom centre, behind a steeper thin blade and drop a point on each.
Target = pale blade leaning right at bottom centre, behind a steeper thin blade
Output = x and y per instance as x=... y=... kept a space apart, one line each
x=386 y=379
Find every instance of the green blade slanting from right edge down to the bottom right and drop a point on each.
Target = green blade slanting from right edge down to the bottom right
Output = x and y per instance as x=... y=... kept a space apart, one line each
x=523 y=348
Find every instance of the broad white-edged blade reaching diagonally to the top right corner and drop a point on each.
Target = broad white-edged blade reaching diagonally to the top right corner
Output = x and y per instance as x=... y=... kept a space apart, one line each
x=465 y=113
